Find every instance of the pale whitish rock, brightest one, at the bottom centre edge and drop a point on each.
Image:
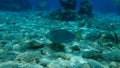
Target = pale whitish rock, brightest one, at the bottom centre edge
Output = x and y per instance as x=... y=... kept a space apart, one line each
x=73 y=62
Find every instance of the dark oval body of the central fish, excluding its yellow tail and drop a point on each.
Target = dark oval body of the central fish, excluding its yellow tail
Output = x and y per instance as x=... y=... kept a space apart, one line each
x=60 y=36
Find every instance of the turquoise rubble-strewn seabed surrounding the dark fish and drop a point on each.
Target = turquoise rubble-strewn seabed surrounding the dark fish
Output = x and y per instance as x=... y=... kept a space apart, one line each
x=23 y=42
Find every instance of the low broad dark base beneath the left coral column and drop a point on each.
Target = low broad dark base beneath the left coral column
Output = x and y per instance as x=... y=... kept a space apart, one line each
x=63 y=15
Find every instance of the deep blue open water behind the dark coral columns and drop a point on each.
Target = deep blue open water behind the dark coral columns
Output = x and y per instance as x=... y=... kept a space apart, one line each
x=104 y=6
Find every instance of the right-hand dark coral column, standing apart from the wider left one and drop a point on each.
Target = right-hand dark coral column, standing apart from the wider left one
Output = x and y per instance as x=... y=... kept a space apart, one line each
x=85 y=8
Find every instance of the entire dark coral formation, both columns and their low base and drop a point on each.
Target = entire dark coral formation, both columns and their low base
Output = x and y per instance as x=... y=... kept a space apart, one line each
x=68 y=13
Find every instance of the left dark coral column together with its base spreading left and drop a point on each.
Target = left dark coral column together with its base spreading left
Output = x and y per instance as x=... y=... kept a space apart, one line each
x=68 y=12
